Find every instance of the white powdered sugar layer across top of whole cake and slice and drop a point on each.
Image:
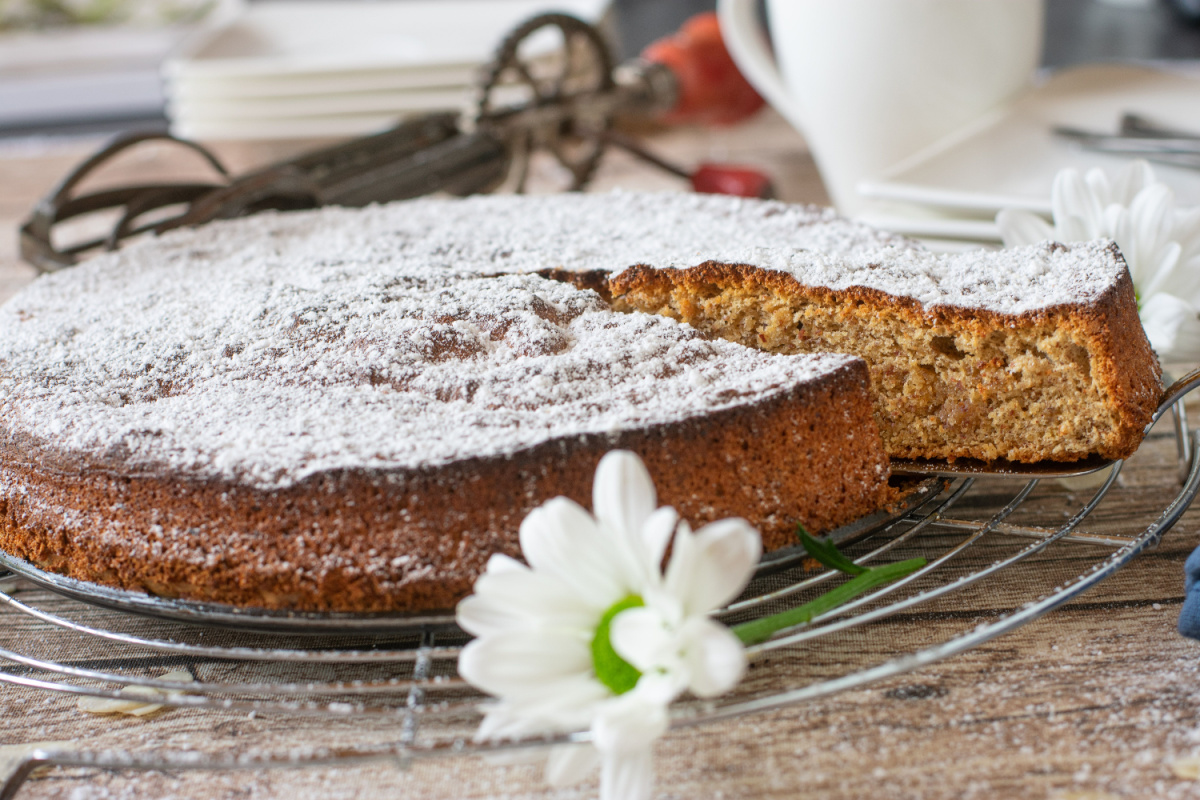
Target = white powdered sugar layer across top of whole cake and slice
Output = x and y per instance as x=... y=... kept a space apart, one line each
x=274 y=347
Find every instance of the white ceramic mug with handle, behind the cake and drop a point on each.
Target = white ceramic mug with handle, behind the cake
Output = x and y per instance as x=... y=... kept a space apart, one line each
x=871 y=83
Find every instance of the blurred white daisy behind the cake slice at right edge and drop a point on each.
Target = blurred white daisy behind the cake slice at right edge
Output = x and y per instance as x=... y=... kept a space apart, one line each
x=1161 y=245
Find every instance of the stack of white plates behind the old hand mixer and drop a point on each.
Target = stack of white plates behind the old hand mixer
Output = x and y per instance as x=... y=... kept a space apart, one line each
x=301 y=69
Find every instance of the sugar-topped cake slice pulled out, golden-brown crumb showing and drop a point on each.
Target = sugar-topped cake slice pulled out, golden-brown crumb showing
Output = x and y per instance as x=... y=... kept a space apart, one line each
x=1031 y=354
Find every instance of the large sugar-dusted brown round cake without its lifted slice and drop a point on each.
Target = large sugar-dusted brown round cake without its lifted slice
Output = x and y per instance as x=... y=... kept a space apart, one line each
x=351 y=411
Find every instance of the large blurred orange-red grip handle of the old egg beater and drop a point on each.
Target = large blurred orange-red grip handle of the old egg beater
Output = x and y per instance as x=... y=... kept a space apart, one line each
x=711 y=88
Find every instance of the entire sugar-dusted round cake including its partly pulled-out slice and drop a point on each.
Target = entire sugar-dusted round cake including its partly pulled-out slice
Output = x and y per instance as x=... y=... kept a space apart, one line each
x=351 y=411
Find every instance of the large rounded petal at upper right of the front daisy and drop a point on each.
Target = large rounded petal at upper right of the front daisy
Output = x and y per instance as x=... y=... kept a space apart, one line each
x=717 y=566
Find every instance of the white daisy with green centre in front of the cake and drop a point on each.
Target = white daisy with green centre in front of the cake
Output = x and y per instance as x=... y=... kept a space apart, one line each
x=593 y=636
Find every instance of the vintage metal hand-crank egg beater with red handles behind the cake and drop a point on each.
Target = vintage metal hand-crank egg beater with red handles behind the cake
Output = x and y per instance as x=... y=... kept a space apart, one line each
x=565 y=104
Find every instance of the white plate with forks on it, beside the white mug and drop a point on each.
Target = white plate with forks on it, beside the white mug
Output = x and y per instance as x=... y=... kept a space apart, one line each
x=1010 y=160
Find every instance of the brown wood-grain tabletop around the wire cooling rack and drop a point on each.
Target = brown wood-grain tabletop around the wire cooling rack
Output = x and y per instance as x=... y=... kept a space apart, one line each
x=1100 y=700
